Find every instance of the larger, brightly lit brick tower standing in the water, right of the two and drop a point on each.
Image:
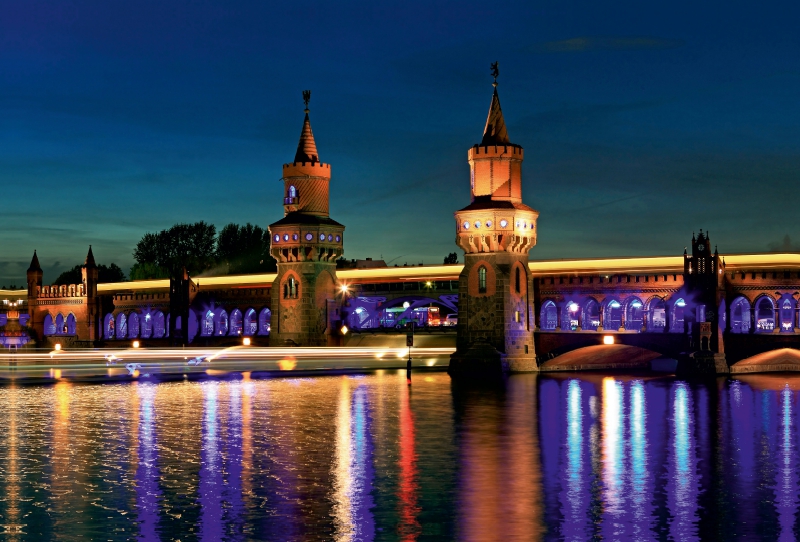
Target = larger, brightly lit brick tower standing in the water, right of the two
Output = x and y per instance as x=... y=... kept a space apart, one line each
x=496 y=231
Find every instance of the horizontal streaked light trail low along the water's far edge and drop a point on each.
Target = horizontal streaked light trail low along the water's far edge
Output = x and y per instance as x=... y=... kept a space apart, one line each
x=145 y=363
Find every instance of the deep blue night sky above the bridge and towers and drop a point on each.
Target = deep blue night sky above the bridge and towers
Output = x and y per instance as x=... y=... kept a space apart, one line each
x=641 y=122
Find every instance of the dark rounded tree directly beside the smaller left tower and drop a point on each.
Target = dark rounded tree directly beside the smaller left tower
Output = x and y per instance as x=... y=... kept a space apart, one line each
x=244 y=249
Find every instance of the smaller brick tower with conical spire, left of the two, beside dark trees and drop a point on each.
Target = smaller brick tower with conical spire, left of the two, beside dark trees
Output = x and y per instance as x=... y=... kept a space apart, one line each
x=306 y=243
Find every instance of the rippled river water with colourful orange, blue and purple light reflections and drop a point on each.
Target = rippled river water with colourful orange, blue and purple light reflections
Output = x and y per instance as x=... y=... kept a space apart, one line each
x=571 y=457
